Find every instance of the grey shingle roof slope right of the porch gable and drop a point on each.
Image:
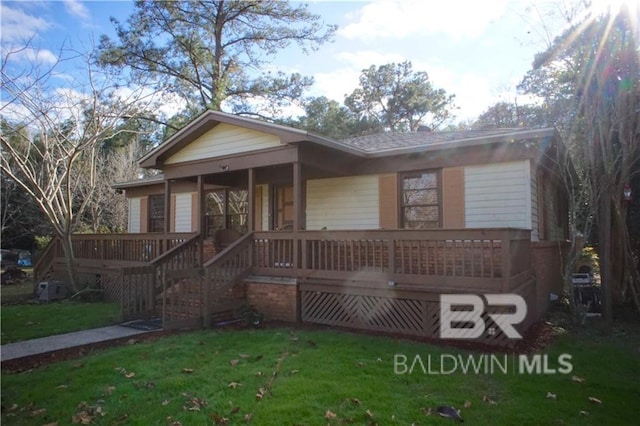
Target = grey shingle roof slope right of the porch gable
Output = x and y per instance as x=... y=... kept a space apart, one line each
x=384 y=142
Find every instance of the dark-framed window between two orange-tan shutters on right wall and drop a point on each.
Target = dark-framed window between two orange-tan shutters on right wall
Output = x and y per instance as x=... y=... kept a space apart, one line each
x=420 y=201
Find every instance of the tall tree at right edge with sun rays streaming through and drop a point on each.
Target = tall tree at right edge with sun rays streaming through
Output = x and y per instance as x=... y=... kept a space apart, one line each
x=597 y=62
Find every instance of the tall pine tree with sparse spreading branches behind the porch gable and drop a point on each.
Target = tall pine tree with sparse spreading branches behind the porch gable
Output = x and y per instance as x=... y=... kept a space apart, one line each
x=213 y=53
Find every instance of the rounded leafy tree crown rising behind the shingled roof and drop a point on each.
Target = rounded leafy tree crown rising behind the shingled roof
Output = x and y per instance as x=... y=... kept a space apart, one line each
x=399 y=98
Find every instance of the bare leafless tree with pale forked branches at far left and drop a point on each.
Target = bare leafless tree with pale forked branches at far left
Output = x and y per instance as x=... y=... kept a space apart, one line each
x=52 y=137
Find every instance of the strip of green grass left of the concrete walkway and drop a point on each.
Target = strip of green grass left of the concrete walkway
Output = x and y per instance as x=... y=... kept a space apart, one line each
x=30 y=321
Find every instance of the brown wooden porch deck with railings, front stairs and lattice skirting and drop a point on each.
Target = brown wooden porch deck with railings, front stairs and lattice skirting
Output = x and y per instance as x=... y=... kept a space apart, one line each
x=382 y=280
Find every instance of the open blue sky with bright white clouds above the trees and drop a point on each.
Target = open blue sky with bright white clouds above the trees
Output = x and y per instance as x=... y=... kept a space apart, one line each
x=477 y=50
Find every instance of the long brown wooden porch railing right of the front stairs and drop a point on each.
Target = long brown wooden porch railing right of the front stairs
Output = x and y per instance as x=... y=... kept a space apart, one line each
x=467 y=259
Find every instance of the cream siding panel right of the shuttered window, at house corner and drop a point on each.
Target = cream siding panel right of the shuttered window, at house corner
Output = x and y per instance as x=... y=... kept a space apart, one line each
x=498 y=195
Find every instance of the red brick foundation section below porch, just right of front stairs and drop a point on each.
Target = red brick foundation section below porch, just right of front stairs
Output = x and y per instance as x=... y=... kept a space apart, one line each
x=275 y=298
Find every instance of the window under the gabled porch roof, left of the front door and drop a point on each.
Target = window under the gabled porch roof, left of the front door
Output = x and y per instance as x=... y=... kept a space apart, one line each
x=226 y=209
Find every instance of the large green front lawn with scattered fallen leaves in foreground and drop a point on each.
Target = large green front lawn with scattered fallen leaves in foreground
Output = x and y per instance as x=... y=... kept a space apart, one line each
x=188 y=378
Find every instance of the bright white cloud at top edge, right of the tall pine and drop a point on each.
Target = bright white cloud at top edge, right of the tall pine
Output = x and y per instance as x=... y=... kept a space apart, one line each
x=401 y=18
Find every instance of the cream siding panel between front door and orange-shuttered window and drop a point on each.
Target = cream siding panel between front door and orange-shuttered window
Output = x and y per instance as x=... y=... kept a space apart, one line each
x=343 y=203
